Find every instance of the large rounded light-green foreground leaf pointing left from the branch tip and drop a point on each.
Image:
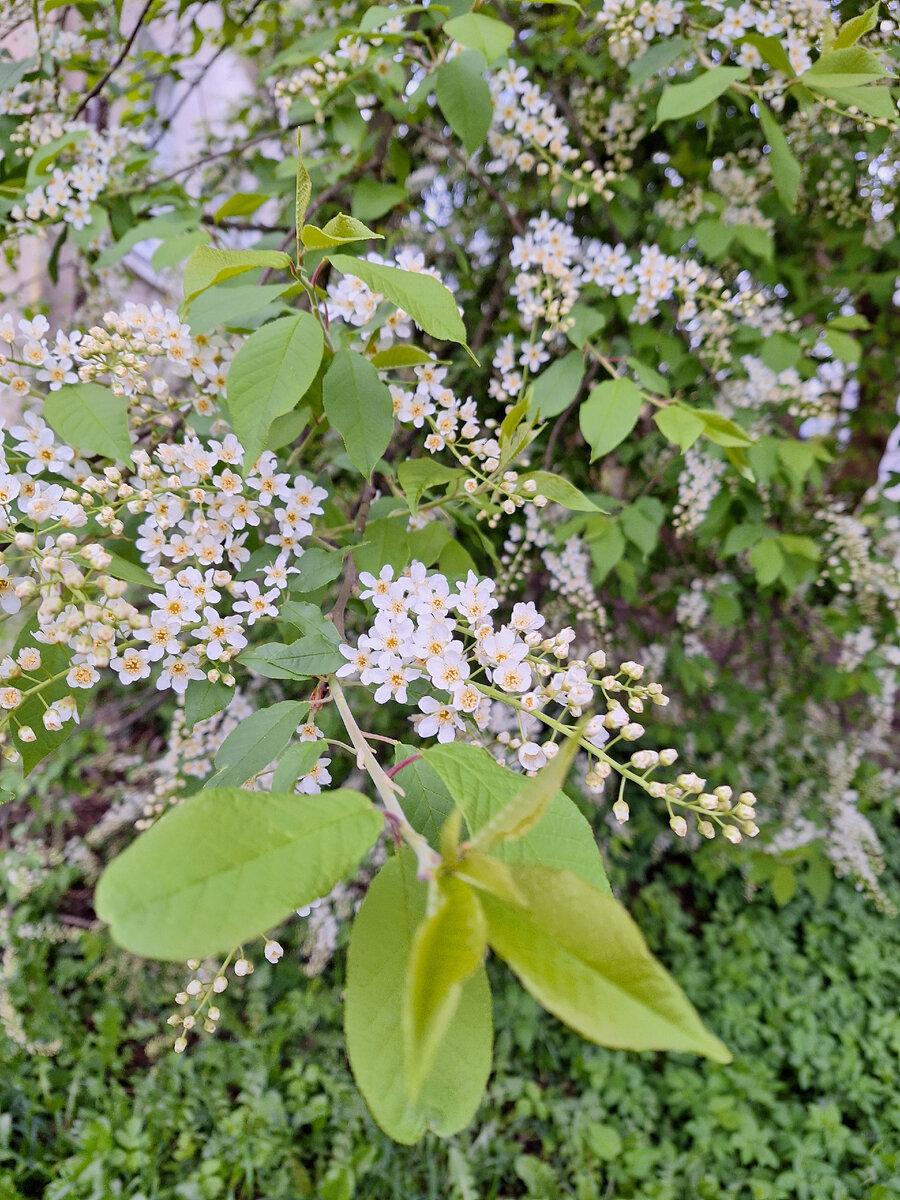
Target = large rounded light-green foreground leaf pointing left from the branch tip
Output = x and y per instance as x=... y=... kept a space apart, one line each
x=229 y=865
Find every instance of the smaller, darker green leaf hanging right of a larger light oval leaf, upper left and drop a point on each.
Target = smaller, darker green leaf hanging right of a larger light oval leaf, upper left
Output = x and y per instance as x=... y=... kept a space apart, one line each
x=359 y=406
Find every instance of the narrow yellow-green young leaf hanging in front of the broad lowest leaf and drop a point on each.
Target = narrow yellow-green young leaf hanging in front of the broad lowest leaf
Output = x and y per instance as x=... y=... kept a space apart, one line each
x=448 y=949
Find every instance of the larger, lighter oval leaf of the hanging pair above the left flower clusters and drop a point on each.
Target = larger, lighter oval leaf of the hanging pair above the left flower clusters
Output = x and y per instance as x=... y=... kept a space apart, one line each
x=271 y=375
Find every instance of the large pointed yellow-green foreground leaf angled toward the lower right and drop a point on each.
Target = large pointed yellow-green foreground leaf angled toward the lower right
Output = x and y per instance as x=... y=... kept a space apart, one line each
x=581 y=956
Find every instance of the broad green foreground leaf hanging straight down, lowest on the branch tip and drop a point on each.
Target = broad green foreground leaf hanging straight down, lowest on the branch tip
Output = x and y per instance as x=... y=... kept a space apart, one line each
x=379 y=956
